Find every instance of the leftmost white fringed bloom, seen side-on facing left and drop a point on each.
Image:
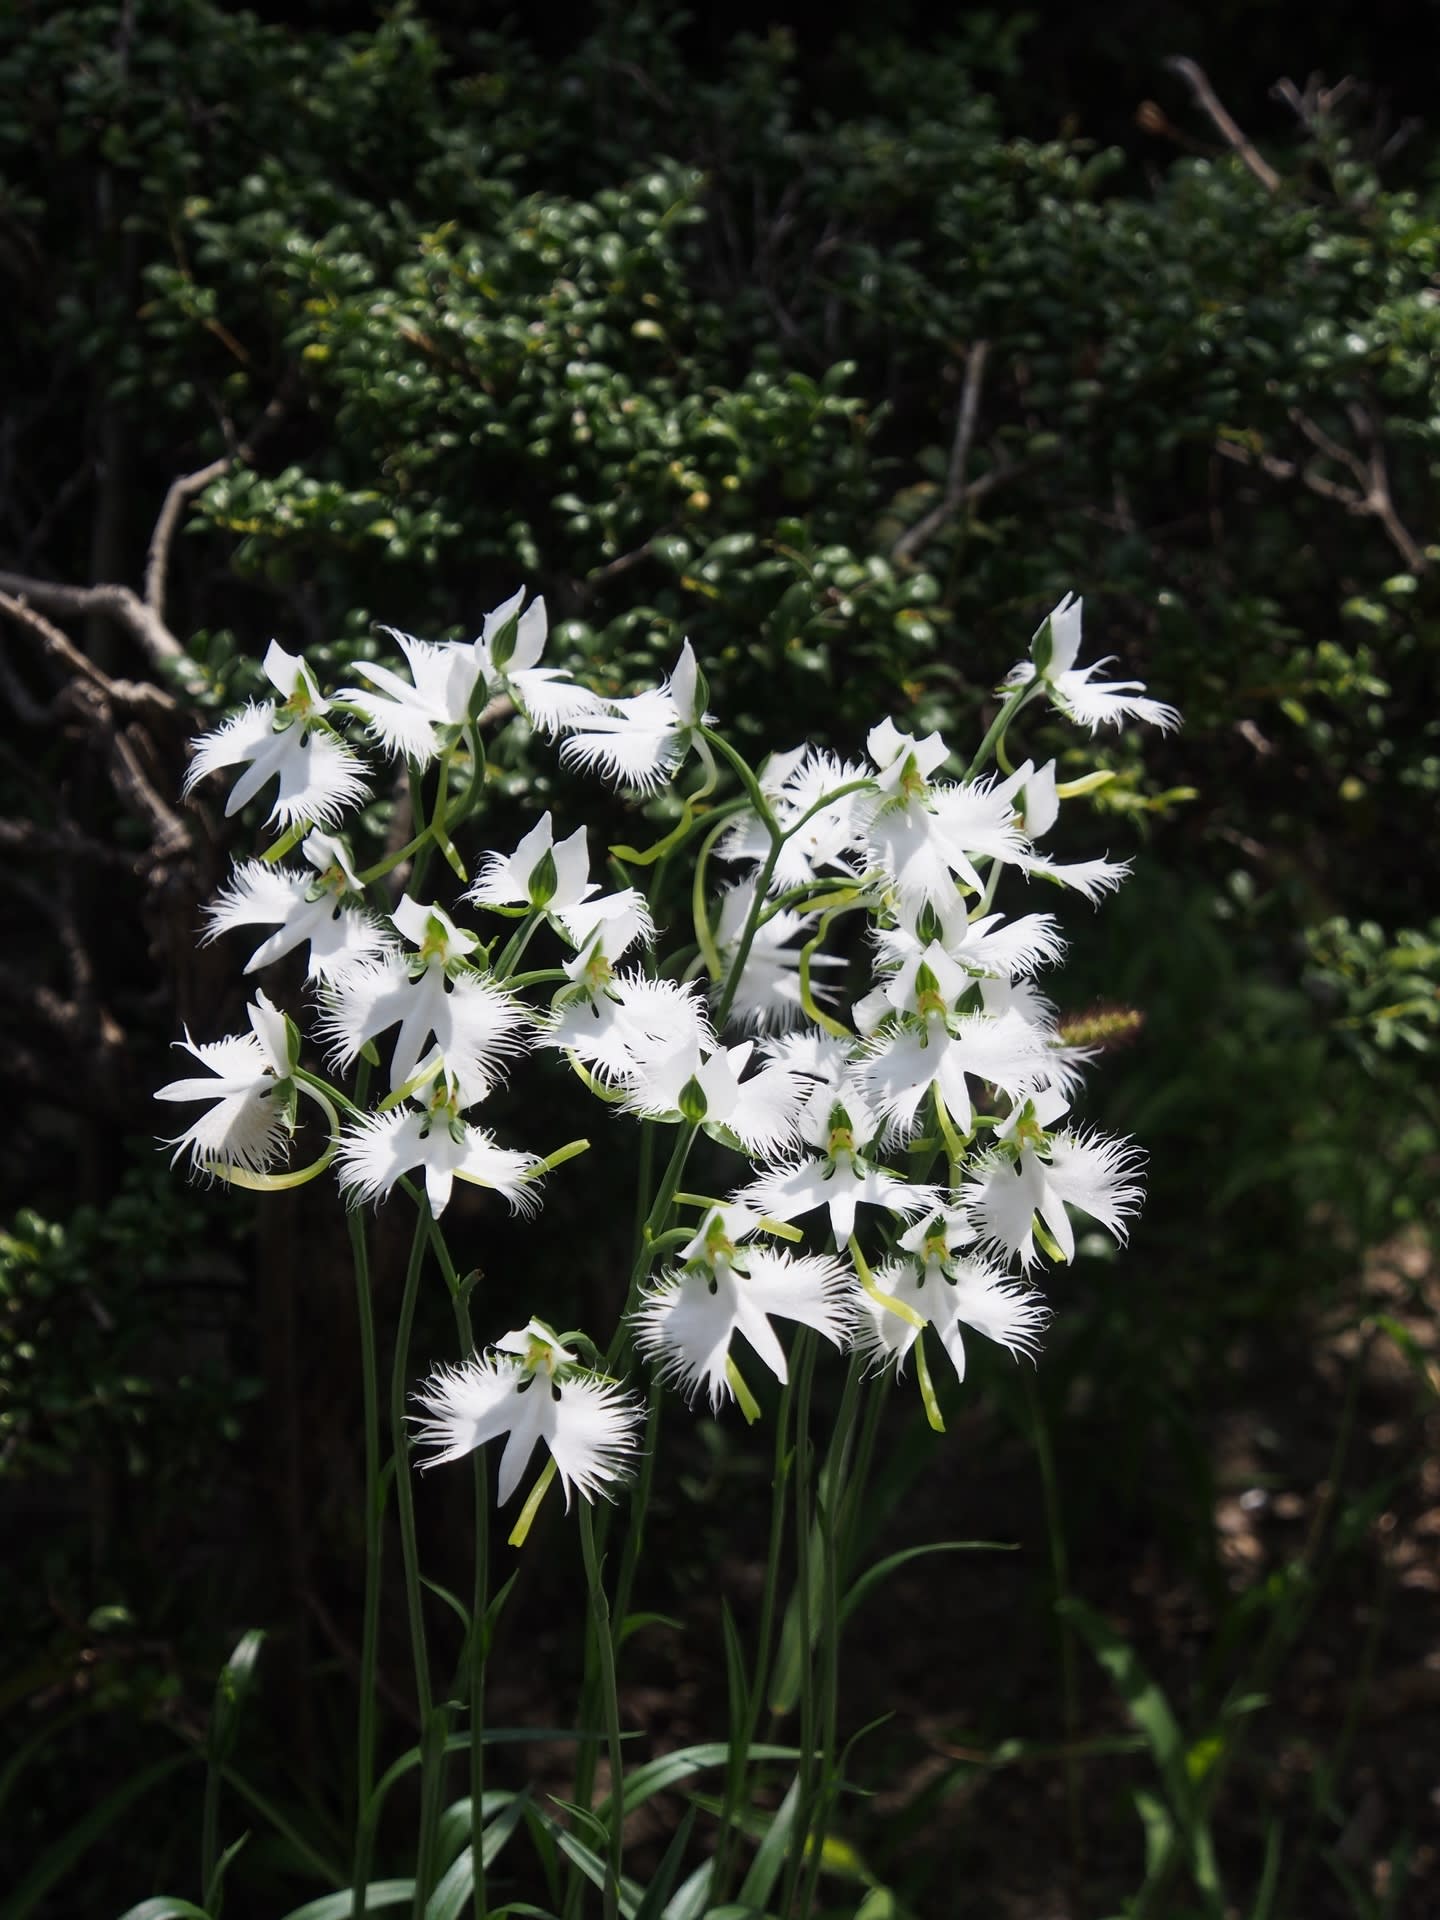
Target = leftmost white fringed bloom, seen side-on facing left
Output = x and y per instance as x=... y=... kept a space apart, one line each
x=249 y=1120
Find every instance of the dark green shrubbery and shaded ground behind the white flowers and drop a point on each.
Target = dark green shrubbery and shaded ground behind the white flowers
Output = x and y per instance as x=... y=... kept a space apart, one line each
x=844 y=356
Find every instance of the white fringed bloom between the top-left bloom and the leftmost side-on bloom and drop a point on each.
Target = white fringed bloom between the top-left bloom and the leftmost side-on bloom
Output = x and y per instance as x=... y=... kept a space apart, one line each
x=300 y=907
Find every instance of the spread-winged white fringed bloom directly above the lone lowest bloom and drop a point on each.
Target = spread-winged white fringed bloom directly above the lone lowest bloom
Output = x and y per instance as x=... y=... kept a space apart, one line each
x=431 y=1136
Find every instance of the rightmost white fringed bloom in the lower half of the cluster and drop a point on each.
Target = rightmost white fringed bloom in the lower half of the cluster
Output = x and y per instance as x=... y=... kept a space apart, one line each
x=1013 y=1191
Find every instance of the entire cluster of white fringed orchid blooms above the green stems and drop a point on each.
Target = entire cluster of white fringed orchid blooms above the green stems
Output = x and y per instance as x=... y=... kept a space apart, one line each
x=921 y=1128
